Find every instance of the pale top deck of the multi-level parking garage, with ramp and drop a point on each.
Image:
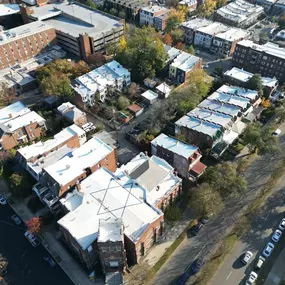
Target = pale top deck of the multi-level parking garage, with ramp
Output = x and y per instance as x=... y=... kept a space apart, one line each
x=74 y=19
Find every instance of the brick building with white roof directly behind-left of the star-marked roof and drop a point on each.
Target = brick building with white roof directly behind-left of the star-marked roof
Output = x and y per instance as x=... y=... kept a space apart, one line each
x=62 y=175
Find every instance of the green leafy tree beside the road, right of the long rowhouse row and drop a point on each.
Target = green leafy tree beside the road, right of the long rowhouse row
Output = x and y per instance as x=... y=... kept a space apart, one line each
x=261 y=139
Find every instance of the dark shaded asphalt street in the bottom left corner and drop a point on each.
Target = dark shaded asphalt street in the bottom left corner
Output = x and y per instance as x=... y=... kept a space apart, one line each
x=26 y=265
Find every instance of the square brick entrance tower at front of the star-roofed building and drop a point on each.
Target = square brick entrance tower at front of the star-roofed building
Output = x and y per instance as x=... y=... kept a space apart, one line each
x=111 y=249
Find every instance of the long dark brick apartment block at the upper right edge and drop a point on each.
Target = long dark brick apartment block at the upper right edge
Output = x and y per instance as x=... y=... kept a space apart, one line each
x=268 y=59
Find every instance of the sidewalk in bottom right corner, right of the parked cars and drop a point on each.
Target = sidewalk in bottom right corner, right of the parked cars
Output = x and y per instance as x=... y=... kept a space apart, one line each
x=277 y=273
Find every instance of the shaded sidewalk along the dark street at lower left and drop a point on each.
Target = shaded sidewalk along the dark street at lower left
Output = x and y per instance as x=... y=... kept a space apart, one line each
x=49 y=241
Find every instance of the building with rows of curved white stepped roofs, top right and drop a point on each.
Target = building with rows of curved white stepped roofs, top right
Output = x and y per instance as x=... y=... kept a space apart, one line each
x=239 y=13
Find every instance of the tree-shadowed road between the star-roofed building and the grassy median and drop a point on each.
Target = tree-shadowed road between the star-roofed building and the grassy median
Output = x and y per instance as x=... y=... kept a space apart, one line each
x=204 y=243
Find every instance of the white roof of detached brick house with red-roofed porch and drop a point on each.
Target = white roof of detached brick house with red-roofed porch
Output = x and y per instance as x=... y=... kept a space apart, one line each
x=174 y=145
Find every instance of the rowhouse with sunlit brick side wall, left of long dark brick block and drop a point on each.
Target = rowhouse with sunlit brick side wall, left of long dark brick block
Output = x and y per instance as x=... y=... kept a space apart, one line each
x=224 y=43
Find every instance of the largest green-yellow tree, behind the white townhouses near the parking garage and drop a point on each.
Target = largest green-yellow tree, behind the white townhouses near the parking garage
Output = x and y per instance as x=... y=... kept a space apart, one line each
x=144 y=55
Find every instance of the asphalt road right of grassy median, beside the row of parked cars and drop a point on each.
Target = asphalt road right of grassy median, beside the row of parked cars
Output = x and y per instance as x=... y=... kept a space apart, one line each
x=263 y=224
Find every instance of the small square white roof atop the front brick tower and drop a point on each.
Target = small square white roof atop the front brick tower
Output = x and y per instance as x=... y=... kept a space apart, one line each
x=110 y=230
